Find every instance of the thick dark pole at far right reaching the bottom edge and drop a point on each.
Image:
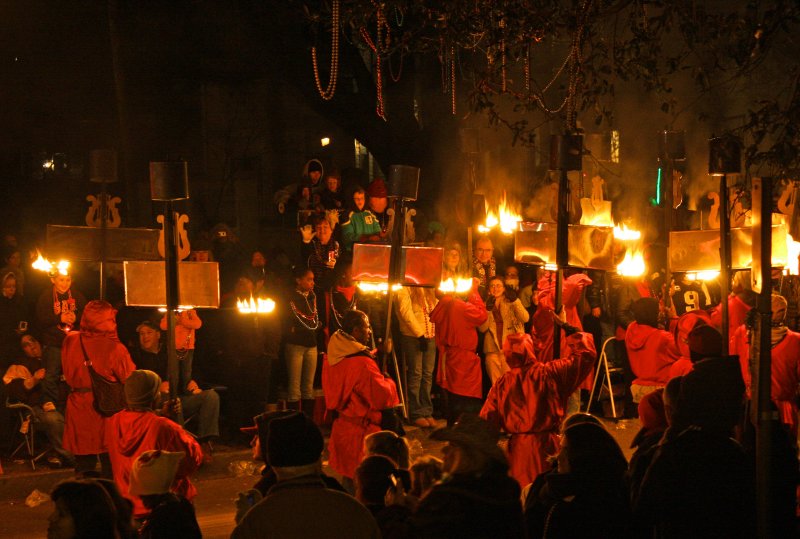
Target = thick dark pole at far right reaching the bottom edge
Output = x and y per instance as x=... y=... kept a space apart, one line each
x=761 y=348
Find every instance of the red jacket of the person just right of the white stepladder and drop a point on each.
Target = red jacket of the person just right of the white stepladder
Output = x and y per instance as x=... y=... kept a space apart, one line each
x=651 y=352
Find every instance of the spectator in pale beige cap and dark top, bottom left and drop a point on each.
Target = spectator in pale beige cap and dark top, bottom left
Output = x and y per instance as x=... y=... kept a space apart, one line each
x=170 y=515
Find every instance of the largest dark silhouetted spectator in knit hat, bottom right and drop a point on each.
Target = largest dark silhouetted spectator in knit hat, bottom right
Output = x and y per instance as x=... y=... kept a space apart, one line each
x=700 y=482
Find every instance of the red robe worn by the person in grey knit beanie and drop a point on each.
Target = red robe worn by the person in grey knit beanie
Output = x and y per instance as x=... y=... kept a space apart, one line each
x=131 y=433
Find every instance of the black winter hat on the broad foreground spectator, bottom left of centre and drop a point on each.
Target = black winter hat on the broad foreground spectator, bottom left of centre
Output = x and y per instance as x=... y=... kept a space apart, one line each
x=293 y=440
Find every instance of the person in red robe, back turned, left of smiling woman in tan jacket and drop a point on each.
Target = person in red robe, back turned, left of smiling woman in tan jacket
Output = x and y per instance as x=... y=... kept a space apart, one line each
x=459 y=371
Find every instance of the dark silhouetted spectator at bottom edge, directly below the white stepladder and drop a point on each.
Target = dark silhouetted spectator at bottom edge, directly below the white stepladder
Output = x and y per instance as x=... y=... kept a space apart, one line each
x=586 y=495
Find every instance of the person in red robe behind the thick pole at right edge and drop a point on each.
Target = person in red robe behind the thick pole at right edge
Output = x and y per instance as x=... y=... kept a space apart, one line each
x=785 y=362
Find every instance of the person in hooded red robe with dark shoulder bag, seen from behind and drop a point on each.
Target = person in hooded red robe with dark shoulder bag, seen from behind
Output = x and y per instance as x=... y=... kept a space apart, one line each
x=84 y=433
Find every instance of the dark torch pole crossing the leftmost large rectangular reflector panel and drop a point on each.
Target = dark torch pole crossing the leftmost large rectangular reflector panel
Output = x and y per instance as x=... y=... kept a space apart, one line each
x=171 y=265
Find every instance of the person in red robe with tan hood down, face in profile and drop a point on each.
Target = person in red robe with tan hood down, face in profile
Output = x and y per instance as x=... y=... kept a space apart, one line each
x=356 y=389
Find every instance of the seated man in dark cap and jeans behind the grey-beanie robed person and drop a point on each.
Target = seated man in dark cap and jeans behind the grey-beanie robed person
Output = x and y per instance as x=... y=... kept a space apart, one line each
x=151 y=355
